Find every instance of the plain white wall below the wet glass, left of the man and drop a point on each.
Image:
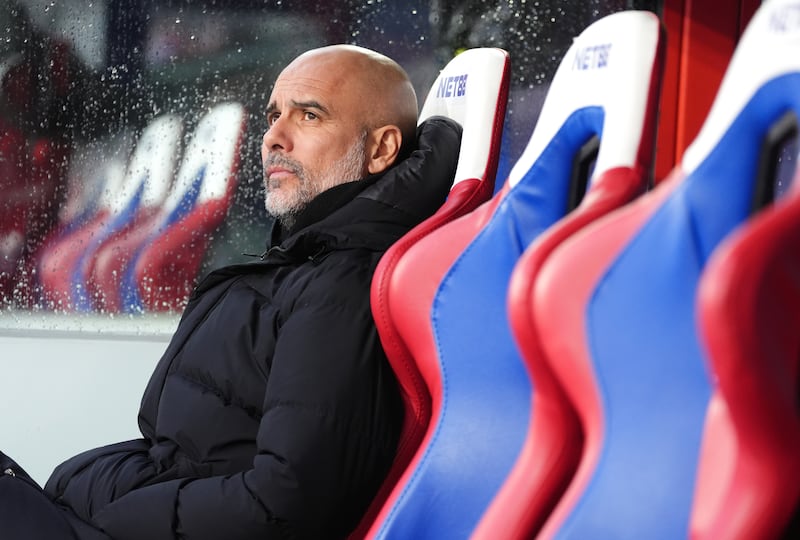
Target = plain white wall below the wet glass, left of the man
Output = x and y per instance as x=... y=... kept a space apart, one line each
x=71 y=383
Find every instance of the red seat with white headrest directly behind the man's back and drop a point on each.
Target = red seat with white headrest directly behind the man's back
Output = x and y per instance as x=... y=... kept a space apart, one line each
x=471 y=89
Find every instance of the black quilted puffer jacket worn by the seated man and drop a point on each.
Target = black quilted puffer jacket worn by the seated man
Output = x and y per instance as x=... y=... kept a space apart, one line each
x=273 y=412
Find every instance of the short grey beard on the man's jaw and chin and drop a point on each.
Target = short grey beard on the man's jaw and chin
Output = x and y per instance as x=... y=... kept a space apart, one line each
x=284 y=206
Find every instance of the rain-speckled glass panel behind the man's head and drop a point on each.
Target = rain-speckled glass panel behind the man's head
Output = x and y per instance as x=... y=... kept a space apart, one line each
x=82 y=79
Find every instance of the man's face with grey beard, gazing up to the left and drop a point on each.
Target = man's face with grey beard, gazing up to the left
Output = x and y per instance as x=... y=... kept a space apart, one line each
x=315 y=138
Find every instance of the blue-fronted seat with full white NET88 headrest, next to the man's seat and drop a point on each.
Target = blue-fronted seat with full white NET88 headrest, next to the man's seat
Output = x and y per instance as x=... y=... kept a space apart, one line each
x=449 y=295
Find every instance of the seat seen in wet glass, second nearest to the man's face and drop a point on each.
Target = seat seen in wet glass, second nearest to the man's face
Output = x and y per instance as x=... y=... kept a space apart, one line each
x=64 y=266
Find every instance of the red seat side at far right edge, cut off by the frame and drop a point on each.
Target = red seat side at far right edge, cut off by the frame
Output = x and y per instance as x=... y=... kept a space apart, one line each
x=749 y=315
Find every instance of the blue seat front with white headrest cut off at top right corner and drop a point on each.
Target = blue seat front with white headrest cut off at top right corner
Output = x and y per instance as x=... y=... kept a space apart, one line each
x=616 y=302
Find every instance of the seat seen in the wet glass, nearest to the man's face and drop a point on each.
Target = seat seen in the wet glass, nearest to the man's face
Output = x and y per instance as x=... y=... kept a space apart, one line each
x=165 y=263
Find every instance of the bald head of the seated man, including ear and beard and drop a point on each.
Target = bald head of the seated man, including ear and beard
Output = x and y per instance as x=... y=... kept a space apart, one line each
x=336 y=114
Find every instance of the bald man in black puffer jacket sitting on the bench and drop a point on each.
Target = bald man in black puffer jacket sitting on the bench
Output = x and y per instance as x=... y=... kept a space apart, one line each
x=273 y=412
